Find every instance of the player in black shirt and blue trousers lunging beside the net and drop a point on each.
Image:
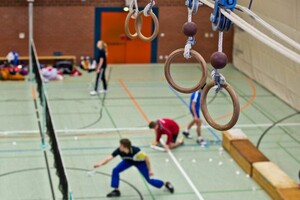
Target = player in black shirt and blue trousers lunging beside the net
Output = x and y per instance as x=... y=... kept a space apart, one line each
x=131 y=156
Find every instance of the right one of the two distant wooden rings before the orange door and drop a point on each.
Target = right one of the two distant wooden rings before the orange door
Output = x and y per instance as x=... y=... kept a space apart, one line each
x=138 y=26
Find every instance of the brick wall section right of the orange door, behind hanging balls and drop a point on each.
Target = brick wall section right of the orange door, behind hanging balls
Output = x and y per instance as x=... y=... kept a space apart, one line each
x=171 y=26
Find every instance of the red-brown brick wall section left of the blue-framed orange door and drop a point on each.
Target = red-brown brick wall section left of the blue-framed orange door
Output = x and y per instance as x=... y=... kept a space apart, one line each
x=66 y=29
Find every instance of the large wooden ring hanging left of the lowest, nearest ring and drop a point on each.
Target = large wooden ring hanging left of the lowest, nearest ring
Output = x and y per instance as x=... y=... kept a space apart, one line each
x=168 y=76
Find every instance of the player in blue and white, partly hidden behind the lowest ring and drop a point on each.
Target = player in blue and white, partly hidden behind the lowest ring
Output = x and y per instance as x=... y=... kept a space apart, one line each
x=195 y=111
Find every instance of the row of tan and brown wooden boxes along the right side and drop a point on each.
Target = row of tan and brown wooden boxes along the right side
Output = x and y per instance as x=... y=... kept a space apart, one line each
x=267 y=174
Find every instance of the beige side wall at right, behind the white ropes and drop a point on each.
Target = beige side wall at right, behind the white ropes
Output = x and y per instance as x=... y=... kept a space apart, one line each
x=277 y=73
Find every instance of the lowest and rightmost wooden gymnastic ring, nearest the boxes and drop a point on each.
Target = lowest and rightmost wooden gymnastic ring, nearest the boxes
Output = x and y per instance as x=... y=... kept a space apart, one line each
x=236 y=107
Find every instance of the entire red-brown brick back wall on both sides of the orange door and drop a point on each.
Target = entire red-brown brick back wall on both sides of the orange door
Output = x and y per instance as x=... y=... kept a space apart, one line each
x=67 y=26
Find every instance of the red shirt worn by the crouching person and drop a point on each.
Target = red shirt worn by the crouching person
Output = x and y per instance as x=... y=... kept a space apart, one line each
x=168 y=127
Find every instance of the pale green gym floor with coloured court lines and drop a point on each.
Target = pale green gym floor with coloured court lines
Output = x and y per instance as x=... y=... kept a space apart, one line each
x=89 y=129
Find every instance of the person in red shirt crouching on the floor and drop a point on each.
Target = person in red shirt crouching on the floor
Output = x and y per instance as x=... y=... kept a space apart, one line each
x=168 y=127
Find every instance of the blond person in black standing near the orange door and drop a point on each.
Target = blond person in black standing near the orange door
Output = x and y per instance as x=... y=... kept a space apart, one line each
x=101 y=67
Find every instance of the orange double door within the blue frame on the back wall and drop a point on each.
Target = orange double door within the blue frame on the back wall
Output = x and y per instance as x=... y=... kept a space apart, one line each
x=120 y=48
